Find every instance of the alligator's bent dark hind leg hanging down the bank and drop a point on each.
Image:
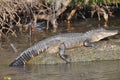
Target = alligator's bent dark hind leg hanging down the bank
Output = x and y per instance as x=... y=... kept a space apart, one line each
x=62 y=53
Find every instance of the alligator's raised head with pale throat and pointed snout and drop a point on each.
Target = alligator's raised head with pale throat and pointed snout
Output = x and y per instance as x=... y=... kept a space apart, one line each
x=98 y=34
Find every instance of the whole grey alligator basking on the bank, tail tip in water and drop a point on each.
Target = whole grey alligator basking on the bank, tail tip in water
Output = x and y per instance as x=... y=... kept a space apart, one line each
x=62 y=42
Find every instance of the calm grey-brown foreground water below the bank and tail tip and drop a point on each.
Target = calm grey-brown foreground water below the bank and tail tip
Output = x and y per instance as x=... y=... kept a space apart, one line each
x=102 y=70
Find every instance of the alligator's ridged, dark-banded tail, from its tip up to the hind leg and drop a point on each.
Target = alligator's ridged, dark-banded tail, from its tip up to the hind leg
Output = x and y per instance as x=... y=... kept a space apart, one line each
x=33 y=51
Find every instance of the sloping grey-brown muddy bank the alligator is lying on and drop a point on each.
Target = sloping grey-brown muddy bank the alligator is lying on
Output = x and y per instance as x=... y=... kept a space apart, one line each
x=106 y=50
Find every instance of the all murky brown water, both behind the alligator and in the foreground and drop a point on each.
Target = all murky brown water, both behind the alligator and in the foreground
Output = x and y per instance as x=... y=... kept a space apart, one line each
x=97 y=70
